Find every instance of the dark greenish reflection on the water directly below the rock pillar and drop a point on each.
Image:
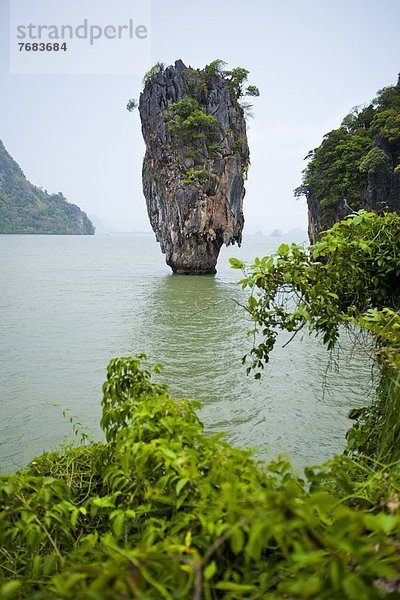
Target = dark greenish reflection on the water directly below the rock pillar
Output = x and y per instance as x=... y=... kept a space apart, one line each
x=196 y=332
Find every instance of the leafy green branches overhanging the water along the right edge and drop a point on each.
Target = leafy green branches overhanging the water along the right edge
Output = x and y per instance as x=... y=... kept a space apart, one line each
x=350 y=278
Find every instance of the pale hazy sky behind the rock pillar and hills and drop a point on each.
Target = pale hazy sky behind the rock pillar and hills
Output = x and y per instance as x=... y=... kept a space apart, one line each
x=313 y=60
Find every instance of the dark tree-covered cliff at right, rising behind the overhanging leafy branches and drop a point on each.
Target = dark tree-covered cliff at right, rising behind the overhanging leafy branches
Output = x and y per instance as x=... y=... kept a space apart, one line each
x=356 y=166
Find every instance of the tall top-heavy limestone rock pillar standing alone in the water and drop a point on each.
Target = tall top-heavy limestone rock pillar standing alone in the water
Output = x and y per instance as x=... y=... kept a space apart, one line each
x=195 y=164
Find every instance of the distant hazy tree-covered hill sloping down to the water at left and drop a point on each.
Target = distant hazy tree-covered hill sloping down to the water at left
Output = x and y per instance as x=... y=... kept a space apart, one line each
x=25 y=208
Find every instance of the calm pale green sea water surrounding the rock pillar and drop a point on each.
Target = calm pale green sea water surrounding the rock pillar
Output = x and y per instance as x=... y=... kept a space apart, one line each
x=69 y=304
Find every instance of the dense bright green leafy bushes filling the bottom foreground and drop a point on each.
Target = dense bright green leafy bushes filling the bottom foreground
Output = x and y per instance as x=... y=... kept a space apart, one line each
x=160 y=510
